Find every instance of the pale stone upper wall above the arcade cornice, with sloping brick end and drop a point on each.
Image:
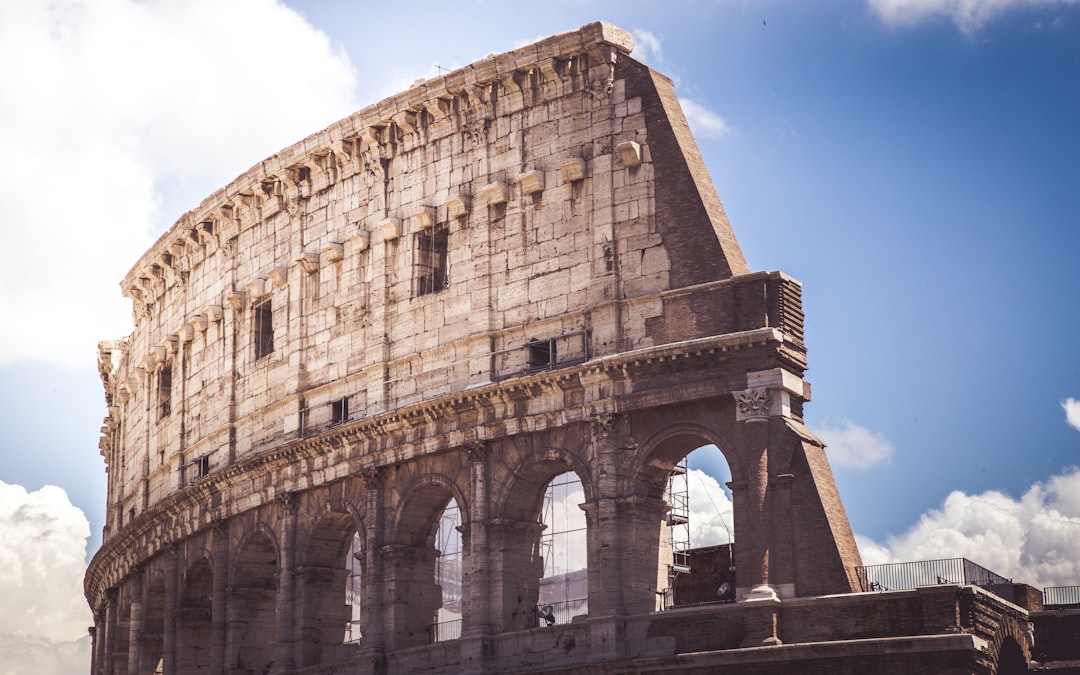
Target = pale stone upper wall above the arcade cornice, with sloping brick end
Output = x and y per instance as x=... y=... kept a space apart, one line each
x=534 y=211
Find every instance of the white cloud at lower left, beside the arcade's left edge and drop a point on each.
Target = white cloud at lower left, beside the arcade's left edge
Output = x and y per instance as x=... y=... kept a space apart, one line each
x=44 y=617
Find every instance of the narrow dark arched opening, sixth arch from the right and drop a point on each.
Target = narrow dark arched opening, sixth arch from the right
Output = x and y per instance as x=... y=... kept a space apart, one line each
x=194 y=619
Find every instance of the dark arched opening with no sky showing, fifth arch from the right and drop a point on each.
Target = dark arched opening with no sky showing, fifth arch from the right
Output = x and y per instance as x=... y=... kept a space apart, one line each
x=252 y=607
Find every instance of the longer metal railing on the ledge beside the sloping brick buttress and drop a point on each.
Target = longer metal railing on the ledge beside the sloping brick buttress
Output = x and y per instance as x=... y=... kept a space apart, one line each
x=908 y=576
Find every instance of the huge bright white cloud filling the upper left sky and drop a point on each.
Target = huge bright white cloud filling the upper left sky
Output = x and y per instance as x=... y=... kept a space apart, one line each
x=107 y=101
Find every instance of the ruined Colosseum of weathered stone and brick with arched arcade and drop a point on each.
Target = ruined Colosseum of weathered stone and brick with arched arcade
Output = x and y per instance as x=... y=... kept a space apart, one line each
x=442 y=305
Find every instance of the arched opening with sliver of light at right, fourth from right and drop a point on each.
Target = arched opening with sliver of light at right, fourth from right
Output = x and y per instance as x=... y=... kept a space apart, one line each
x=328 y=587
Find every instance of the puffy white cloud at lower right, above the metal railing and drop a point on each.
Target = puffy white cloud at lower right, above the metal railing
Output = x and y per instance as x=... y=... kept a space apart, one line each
x=1035 y=539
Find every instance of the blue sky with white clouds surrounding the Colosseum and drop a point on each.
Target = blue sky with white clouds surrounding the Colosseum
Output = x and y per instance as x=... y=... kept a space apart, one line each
x=914 y=165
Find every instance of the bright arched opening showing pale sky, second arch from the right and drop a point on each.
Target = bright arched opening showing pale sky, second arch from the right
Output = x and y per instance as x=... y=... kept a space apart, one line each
x=564 y=587
